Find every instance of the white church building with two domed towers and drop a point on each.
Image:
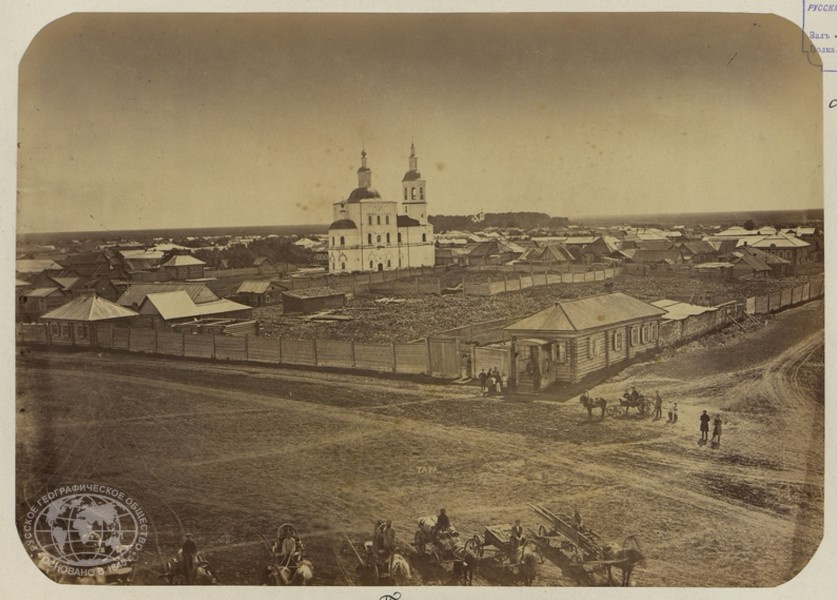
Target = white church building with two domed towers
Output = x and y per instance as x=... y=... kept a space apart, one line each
x=370 y=233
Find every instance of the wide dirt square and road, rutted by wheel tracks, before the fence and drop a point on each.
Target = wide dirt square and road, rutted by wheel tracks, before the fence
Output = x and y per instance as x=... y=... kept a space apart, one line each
x=228 y=452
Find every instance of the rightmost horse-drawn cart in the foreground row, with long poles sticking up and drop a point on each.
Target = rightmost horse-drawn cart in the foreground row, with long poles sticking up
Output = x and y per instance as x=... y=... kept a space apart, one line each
x=581 y=550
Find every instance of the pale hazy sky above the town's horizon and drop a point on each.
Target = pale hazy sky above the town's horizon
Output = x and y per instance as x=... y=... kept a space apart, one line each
x=132 y=121
